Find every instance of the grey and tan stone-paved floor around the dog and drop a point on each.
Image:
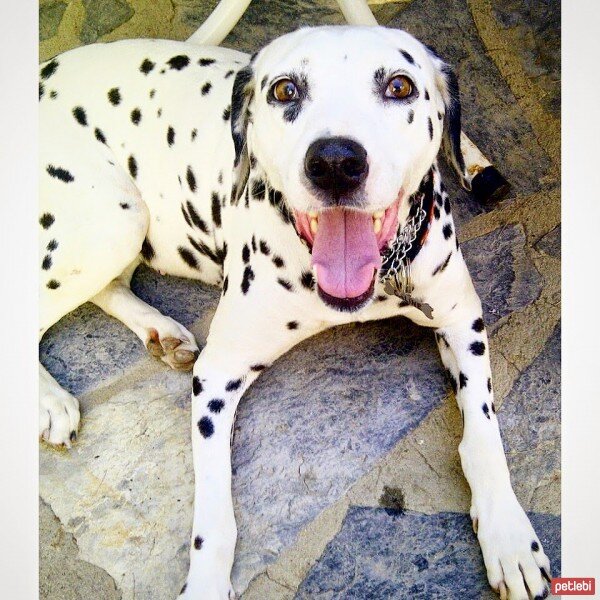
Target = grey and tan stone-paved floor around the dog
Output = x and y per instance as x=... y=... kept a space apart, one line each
x=347 y=482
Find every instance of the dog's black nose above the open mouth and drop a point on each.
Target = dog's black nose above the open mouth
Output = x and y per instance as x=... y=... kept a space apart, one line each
x=336 y=164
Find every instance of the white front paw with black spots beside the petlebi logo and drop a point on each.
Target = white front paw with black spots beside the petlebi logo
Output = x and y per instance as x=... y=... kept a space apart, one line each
x=517 y=567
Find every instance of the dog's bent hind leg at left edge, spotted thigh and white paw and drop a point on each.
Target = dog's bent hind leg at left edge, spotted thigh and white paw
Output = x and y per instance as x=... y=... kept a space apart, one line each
x=93 y=222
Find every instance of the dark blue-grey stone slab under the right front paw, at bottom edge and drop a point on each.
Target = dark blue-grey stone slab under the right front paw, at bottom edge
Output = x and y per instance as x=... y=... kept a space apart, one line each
x=380 y=553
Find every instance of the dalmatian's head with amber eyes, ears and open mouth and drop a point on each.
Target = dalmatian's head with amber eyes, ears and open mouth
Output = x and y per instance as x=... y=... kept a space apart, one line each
x=345 y=122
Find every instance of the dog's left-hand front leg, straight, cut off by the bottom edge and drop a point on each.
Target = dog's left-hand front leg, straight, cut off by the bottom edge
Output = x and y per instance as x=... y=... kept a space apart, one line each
x=239 y=347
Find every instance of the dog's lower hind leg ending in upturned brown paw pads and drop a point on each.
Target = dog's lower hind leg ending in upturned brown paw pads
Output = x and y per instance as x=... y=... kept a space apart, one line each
x=164 y=337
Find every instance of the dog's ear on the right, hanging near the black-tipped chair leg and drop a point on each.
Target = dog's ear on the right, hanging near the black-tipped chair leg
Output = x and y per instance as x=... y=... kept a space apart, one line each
x=447 y=84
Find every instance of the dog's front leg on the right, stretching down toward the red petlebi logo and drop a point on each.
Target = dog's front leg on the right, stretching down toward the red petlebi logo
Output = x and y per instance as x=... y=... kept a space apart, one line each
x=516 y=564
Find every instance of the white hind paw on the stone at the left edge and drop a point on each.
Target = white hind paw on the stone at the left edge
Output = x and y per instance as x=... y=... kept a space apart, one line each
x=59 y=416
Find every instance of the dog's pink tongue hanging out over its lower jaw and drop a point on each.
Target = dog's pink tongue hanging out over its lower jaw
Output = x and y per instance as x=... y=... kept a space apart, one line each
x=345 y=252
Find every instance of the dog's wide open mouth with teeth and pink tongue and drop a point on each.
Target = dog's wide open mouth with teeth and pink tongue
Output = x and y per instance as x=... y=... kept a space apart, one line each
x=346 y=251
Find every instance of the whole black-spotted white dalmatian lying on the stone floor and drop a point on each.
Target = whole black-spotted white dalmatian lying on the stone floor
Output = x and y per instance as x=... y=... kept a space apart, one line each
x=303 y=182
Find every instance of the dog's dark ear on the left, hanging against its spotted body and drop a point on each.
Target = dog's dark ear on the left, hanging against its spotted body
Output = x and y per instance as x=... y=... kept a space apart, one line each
x=241 y=97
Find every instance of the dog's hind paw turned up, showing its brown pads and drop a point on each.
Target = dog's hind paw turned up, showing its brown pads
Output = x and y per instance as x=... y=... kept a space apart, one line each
x=173 y=344
